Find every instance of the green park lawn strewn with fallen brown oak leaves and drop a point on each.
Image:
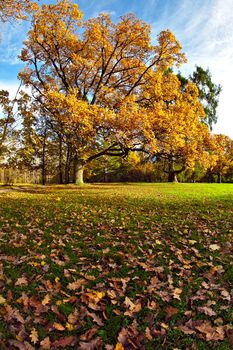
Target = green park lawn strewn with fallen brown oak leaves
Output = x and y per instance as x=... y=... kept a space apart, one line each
x=117 y=266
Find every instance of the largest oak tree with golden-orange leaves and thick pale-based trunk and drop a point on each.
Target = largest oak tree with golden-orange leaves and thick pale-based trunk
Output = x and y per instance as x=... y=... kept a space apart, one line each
x=86 y=74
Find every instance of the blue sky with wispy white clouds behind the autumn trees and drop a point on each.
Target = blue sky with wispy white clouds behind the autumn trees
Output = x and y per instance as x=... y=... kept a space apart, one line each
x=203 y=27
